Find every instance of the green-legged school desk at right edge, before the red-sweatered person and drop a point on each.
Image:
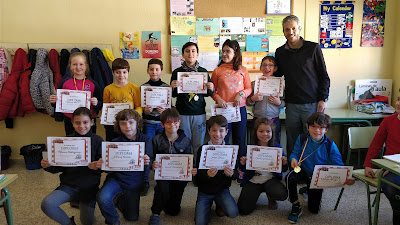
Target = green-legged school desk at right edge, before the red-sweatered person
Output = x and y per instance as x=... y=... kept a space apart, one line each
x=386 y=165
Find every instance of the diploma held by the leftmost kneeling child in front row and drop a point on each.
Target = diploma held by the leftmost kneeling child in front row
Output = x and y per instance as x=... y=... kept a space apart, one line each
x=68 y=151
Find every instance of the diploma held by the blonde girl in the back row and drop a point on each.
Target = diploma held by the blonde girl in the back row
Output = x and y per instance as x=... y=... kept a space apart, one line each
x=69 y=100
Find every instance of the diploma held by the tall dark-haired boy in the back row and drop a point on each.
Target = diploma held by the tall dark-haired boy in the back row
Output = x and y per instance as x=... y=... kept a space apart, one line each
x=192 y=82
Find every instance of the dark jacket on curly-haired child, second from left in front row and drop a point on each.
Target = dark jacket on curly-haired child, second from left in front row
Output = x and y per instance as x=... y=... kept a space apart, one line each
x=132 y=179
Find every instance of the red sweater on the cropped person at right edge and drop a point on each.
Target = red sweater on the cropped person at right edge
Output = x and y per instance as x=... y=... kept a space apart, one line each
x=388 y=133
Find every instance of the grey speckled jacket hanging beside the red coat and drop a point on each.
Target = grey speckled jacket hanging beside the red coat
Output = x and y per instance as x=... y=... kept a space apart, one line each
x=41 y=86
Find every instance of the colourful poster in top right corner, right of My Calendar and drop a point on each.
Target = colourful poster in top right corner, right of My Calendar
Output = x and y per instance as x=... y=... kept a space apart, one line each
x=373 y=25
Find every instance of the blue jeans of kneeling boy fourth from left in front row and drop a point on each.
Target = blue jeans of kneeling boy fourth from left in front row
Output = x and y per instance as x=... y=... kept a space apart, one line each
x=204 y=202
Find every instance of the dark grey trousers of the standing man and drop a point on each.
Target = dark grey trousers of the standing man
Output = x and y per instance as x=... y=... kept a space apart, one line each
x=296 y=118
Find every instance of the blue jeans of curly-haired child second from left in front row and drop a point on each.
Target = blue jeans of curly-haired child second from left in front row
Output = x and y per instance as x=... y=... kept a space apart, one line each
x=129 y=202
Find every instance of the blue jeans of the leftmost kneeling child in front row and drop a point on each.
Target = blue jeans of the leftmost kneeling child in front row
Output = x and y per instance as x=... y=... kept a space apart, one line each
x=51 y=207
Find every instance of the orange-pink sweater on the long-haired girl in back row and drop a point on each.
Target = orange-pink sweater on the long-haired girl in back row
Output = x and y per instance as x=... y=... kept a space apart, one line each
x=228 y=83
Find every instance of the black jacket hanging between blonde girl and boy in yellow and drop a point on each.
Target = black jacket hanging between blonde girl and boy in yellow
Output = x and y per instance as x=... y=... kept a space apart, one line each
x=102 y=73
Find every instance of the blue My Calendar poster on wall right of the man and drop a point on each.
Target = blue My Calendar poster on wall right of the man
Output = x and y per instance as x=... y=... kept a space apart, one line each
x=336 y=25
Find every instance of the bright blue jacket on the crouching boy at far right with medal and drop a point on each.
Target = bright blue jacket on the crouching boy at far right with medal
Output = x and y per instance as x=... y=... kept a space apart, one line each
x=319 y=157
